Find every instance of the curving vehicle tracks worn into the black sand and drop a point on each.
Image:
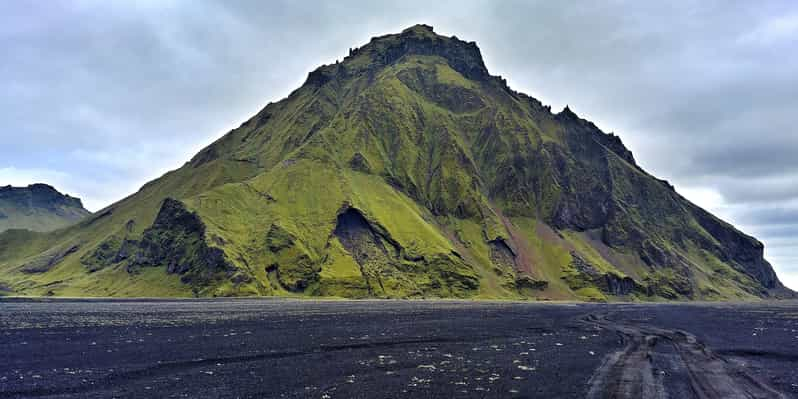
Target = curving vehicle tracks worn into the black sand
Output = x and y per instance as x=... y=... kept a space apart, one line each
x=630 y=372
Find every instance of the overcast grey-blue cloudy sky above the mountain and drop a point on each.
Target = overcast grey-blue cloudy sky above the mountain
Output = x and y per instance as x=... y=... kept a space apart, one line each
x=100 y=97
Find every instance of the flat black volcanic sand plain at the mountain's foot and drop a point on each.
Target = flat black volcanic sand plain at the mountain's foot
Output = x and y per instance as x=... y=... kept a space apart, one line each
x=394 y=349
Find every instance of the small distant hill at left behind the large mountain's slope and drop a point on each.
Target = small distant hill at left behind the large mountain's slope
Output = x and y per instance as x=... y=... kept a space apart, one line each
x=38 y=207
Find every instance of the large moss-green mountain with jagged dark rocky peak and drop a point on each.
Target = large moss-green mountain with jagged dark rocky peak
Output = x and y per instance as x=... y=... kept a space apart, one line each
x=404 y=171
